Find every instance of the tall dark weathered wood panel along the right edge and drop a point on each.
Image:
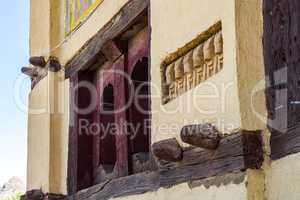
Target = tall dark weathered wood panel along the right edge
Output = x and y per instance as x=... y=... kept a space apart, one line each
x=282 y=61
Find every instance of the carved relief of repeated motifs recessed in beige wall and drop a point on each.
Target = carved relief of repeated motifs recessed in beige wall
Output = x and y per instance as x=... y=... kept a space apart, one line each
x=196 y=62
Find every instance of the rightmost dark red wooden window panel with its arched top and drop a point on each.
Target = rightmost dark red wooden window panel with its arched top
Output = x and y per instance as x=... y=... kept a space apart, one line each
x=139 y=73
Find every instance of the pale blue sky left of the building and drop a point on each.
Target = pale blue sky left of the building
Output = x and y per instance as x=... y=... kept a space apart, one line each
x=14 y=41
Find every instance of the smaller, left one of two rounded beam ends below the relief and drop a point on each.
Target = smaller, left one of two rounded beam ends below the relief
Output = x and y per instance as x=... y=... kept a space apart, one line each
x=168 y=150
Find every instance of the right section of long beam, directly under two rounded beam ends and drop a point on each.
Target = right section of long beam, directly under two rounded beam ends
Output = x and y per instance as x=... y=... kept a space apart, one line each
x=236 y=152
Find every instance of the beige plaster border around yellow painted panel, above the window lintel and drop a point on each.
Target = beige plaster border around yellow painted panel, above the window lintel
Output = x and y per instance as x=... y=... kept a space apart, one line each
x=65 y=47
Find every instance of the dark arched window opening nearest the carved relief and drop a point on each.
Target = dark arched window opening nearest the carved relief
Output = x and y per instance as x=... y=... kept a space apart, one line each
x=139 y=119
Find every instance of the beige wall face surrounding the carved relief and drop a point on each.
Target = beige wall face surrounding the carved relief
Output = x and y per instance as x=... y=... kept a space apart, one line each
x=215 y=100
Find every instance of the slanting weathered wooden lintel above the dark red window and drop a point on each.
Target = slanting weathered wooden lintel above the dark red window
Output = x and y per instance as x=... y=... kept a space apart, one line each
x=112 y=29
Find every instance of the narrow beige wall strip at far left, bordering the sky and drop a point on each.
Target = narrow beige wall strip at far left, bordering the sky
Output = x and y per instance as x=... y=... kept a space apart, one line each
x=38 y=160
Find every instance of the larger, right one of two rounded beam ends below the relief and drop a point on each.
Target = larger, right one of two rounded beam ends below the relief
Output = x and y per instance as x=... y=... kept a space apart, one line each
x=203 y=135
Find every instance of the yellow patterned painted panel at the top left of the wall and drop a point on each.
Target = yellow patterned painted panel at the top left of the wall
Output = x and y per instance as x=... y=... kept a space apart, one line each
x=77 y=11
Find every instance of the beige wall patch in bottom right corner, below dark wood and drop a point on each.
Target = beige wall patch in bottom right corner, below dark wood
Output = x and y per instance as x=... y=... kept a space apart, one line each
x=283 y=178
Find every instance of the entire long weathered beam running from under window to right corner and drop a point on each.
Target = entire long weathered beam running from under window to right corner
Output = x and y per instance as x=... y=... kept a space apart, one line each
x=235 y=153
